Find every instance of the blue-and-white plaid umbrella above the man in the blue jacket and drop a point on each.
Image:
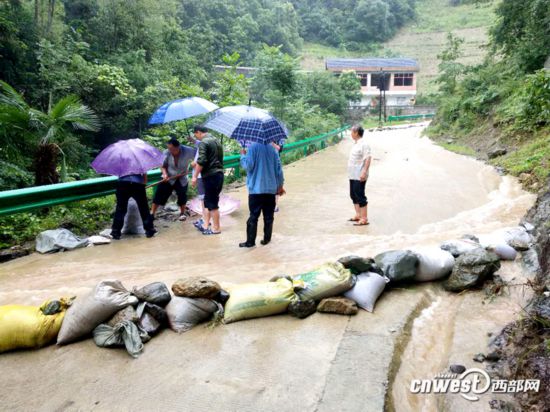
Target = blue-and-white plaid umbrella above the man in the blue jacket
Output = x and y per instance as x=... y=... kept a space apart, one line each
x=248 y=124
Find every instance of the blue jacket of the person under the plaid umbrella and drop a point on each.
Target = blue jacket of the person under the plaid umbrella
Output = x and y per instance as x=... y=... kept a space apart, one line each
x=263 y=169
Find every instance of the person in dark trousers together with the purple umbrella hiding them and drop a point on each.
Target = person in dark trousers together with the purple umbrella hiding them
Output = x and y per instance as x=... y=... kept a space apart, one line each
x=129 y=160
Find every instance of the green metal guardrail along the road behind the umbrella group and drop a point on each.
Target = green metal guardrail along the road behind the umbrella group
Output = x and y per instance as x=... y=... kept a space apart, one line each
x=31 y=198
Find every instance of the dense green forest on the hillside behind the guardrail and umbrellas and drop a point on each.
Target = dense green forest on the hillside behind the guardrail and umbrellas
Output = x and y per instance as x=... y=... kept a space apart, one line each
x=79 y=74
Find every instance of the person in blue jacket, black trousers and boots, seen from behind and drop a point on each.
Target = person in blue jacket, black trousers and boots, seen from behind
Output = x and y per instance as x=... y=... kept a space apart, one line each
x=264 y=179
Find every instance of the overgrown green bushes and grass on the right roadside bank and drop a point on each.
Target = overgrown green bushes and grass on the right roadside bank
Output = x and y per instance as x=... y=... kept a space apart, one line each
x=509 y=91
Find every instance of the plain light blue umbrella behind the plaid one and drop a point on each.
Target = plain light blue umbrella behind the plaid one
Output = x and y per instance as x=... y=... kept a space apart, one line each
x=181 y=109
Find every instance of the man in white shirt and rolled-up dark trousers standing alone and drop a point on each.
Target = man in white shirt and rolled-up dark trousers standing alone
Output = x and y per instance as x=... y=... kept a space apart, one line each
x=358 y=172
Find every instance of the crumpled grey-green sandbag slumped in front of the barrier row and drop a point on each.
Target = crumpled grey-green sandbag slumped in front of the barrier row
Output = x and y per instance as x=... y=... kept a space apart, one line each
x=125 y=333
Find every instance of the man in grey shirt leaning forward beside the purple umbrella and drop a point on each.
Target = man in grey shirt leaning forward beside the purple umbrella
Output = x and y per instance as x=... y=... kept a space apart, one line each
x=175 y=169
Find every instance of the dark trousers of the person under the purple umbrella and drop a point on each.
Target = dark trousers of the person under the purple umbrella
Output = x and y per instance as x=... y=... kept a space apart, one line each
x=125 y=191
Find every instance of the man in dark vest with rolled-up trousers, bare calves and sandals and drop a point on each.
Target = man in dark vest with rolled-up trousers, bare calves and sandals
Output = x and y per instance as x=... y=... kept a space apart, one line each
x=209 y=165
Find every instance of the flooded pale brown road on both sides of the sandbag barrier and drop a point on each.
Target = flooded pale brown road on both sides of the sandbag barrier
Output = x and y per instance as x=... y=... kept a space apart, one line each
x=419 y=194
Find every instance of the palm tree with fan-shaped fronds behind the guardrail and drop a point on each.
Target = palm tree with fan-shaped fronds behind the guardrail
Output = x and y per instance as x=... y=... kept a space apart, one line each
x=50 y=133
